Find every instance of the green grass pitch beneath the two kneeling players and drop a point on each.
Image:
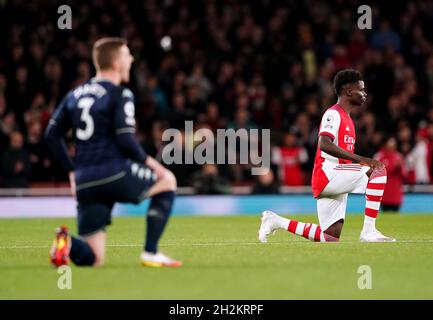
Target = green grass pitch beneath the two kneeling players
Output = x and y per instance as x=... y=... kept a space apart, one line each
x=223 y=260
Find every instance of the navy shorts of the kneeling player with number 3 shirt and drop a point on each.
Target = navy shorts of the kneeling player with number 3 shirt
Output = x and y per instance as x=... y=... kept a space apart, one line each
x=97 y=198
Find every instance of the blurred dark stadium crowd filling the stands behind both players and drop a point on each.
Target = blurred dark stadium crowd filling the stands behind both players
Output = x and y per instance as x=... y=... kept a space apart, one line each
x=230 y=64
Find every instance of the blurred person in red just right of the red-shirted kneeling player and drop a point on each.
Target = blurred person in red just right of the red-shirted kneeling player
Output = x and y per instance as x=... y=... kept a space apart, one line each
x=396 y=171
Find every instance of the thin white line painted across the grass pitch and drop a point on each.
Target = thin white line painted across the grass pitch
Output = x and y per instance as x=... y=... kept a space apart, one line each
x=211 y=244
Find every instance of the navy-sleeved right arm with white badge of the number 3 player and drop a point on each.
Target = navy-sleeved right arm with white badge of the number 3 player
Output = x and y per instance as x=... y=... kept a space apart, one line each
x=124 y=121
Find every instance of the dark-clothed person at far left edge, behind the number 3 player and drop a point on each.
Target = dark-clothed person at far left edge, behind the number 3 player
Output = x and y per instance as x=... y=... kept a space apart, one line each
x=15 y=163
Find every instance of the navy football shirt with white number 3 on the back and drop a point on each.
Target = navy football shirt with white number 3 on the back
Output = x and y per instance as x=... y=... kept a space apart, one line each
x=92 y=111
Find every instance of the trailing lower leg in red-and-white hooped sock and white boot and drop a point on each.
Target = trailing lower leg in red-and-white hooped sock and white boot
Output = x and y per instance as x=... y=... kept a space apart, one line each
x=272 y=222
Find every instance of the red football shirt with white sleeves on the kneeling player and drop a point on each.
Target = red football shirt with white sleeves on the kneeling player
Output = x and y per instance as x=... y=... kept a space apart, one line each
x=337 y=124
